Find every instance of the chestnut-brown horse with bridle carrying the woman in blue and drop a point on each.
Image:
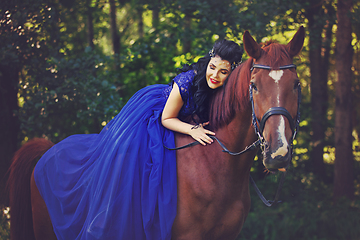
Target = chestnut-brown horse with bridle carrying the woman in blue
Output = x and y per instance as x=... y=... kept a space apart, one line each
x=213 y=186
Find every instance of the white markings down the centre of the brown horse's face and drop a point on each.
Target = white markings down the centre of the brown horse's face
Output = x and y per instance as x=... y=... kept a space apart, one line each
x=283 y=149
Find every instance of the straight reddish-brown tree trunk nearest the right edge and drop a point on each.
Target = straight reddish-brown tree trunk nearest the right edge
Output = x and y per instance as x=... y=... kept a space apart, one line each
x=344 y=176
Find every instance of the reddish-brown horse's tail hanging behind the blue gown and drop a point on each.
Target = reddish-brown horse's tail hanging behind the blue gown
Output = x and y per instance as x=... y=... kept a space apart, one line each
x=23 y=163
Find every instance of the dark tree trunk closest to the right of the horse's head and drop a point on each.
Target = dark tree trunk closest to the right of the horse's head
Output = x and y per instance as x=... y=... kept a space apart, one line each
x=319 y=90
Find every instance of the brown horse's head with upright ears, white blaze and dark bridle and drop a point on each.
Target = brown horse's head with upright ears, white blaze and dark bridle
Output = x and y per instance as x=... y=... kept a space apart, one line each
x=275 y=94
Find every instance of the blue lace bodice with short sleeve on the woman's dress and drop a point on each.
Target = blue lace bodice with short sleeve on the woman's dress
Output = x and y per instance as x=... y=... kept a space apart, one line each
x=184 y=81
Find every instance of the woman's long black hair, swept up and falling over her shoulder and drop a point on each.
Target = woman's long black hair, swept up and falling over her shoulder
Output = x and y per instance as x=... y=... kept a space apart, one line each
x=202 y=93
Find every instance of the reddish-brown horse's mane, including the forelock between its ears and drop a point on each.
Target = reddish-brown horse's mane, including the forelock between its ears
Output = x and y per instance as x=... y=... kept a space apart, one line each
x=234 y=96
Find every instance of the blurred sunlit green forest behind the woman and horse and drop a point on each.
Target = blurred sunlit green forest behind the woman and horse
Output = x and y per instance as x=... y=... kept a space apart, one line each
x=67 y=67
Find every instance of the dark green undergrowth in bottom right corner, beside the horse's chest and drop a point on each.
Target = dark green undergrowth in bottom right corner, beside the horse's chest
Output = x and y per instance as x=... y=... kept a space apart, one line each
x=306 y=212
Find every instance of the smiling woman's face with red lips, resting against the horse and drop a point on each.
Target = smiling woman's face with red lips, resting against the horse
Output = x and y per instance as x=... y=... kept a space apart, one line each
x=217 y=71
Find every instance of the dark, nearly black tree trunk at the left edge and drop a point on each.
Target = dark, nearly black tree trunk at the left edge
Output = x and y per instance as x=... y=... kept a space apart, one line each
x=9 y=124
